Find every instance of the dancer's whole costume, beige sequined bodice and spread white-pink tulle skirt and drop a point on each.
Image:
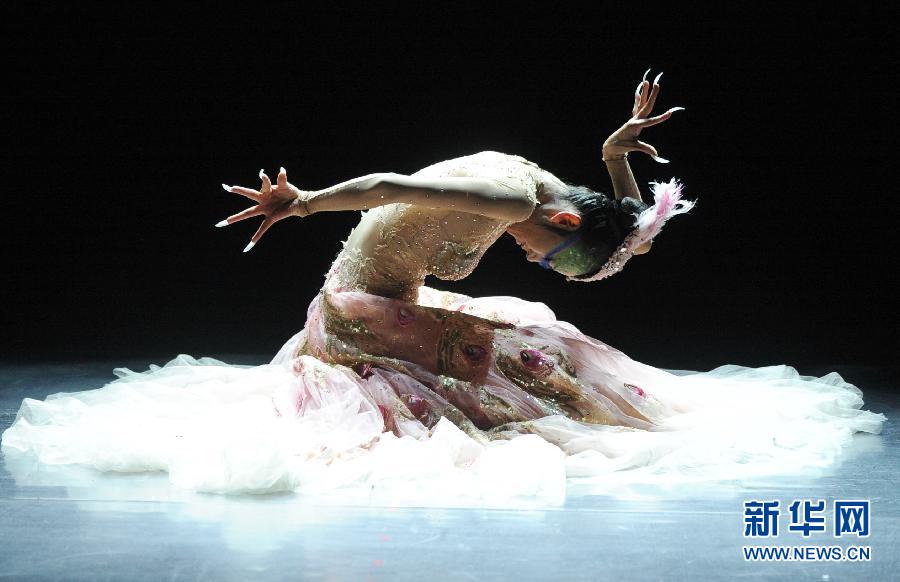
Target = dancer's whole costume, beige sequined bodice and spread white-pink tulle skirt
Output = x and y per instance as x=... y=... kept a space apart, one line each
x=394 y=386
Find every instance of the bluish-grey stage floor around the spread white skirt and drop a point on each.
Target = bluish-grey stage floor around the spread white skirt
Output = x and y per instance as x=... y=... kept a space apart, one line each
x=71 y=523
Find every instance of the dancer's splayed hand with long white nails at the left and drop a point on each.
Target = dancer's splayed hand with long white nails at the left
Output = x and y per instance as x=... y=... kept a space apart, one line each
x=276 y=203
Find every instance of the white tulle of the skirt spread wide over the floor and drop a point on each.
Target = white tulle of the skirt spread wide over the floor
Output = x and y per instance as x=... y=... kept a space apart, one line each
x=304 y=425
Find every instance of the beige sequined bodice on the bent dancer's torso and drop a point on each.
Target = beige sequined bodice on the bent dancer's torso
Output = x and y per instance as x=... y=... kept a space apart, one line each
x=395 y=246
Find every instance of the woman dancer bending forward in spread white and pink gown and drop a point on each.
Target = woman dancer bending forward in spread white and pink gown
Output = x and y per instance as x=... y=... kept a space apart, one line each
x=383 y=357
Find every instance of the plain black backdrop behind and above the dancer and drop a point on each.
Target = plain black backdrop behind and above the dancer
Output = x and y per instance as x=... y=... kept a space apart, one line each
x=121 y=124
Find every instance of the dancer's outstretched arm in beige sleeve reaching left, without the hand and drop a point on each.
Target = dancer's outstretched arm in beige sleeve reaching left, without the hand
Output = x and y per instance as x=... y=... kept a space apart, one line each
x=472 y=195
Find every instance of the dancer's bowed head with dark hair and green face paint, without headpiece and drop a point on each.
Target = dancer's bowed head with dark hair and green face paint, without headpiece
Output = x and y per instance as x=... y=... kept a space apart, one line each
x=578 y=227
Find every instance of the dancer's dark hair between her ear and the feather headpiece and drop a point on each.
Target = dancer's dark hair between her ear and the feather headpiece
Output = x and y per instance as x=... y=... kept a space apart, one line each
x=605 y=222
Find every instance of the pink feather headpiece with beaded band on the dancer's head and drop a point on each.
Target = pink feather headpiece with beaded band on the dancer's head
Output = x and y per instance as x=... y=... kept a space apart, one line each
x=667 y=203
